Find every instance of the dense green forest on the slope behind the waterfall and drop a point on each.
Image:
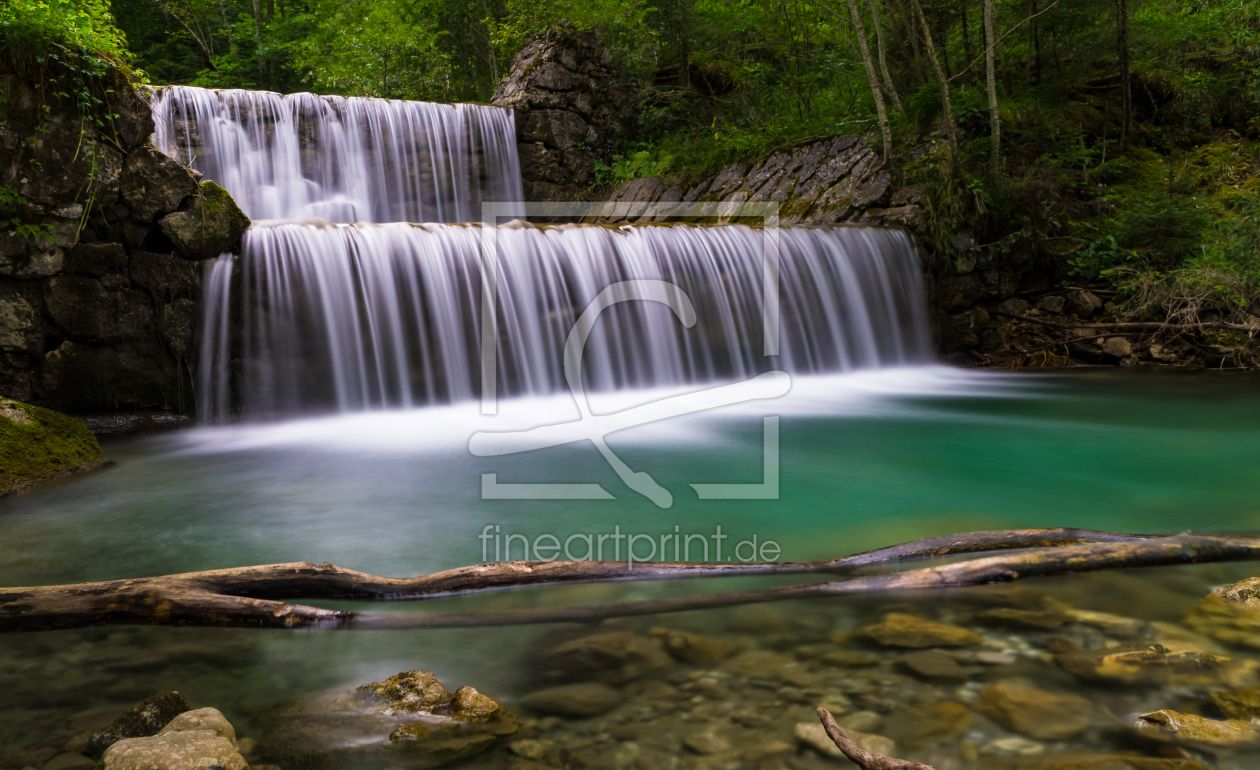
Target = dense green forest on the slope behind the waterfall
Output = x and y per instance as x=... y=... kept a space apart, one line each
x=1107 y=143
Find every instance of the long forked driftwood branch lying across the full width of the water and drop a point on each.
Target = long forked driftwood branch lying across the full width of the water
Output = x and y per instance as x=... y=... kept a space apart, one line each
x=253 y=597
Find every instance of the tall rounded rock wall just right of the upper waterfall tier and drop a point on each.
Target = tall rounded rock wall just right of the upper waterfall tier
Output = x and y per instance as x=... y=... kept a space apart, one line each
x=570 y=108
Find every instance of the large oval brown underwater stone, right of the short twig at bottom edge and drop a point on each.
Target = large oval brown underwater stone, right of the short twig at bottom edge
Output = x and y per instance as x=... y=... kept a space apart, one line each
x=1038 y=714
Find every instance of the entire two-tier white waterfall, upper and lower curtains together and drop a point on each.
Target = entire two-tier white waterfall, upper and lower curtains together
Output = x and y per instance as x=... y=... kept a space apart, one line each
x=319 y=317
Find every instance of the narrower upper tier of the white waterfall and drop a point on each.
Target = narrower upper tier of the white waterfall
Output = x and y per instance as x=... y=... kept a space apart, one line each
x=343 y=159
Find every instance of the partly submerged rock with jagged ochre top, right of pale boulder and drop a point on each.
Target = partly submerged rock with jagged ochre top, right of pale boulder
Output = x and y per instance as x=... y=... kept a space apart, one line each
x=409 y=721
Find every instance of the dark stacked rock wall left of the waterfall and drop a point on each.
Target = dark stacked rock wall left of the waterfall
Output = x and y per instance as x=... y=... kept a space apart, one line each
x=99 y=313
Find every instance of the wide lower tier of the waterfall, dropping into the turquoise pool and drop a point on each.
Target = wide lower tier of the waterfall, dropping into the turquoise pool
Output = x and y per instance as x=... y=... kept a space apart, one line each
x=336 y=317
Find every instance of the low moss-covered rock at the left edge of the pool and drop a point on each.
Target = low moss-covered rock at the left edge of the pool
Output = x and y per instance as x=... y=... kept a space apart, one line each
x=38 y=444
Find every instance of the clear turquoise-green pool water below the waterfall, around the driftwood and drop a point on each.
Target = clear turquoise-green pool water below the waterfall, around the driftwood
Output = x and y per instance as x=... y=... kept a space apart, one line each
x=868 y=461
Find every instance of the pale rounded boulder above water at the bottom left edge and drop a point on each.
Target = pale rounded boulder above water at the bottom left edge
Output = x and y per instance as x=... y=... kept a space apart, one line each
x=196 y=740
